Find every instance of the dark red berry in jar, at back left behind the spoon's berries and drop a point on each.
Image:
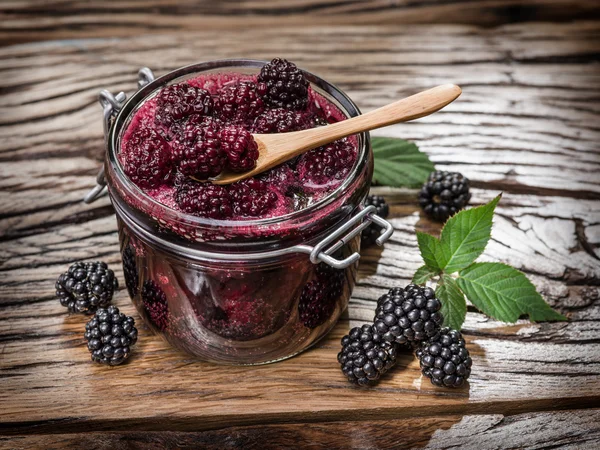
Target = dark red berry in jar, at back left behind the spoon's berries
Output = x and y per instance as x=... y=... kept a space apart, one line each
x=175 y=102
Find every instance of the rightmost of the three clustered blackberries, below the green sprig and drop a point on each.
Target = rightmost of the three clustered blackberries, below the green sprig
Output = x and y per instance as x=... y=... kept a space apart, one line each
x=445 y=359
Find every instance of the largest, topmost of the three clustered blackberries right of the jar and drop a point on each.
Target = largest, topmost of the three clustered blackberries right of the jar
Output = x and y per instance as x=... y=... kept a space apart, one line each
x=408 y=315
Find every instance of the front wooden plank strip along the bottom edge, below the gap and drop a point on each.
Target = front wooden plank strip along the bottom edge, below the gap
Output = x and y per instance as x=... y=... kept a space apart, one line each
x=577 y=429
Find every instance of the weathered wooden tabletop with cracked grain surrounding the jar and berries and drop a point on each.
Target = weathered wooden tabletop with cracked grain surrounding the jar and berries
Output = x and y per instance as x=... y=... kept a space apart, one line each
x=527 y=124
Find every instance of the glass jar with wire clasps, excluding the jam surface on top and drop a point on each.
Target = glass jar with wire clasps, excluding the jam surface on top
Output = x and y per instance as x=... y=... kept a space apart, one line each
x=237 y=292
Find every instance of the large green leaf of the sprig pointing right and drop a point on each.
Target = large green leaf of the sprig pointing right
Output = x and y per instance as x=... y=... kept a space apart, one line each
x=504 y=293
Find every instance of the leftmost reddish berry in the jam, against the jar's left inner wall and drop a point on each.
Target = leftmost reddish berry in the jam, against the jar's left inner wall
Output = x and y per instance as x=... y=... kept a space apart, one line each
x=147 y=158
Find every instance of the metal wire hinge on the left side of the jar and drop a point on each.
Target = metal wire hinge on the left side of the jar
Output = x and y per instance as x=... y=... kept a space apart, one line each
x=111 y=105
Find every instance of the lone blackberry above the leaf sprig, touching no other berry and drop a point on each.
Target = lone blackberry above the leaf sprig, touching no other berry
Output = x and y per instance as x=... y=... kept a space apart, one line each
x=444 y=194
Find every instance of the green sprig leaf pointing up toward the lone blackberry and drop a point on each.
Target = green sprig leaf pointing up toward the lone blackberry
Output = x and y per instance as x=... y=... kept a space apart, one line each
x=465 y=236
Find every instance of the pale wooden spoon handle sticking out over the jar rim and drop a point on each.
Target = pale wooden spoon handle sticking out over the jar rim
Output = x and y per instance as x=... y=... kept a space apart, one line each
x=413 y=107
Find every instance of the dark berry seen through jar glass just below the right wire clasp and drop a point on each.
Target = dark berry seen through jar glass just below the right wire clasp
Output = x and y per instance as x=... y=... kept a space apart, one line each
x=319 y=296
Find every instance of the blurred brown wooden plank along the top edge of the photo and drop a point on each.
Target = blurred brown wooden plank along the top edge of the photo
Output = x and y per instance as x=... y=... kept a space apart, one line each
x=34 y=20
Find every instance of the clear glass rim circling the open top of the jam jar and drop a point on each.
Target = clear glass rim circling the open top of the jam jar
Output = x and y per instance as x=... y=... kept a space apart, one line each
x=341 y=100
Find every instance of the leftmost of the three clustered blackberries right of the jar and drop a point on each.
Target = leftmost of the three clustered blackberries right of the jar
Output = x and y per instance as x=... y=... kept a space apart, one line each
x=365 y=356
